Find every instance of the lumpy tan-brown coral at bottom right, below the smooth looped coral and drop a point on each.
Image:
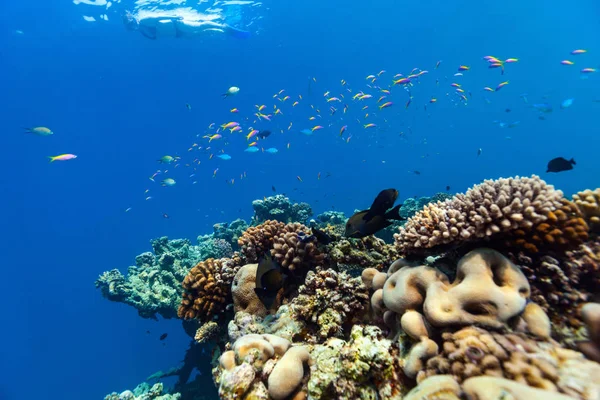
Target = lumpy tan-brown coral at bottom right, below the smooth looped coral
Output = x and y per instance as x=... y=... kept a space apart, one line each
x=473 y=352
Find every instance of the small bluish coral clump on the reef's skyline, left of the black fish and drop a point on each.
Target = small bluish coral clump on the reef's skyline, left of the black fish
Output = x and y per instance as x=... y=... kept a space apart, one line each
x=279 y=208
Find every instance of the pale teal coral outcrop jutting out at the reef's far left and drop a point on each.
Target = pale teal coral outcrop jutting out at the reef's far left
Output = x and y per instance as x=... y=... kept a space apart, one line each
x=153 y=285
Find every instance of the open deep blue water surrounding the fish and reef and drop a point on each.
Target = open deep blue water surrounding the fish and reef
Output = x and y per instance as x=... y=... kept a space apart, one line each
x=117 y=100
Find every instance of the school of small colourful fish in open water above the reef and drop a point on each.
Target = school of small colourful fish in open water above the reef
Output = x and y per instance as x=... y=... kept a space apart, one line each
x=341 y=110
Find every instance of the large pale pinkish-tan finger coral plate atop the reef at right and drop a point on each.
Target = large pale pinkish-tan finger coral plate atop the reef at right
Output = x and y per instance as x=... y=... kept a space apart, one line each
x=487 y=209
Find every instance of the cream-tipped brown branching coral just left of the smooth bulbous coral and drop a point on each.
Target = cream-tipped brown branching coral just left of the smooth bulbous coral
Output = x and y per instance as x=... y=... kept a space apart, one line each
x=329 y=301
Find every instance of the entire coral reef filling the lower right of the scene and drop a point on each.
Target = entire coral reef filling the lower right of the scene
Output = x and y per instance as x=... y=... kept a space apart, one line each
x=481 y=296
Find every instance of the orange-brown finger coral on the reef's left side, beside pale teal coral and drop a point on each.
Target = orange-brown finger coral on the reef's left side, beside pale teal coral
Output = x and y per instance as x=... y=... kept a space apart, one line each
x=205 y=293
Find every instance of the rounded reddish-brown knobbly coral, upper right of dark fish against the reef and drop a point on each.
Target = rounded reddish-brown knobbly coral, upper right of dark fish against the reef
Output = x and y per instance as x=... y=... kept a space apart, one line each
x=295 y=254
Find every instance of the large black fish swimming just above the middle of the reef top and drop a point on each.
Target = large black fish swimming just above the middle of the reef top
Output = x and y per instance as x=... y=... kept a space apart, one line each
x=359 y=226
